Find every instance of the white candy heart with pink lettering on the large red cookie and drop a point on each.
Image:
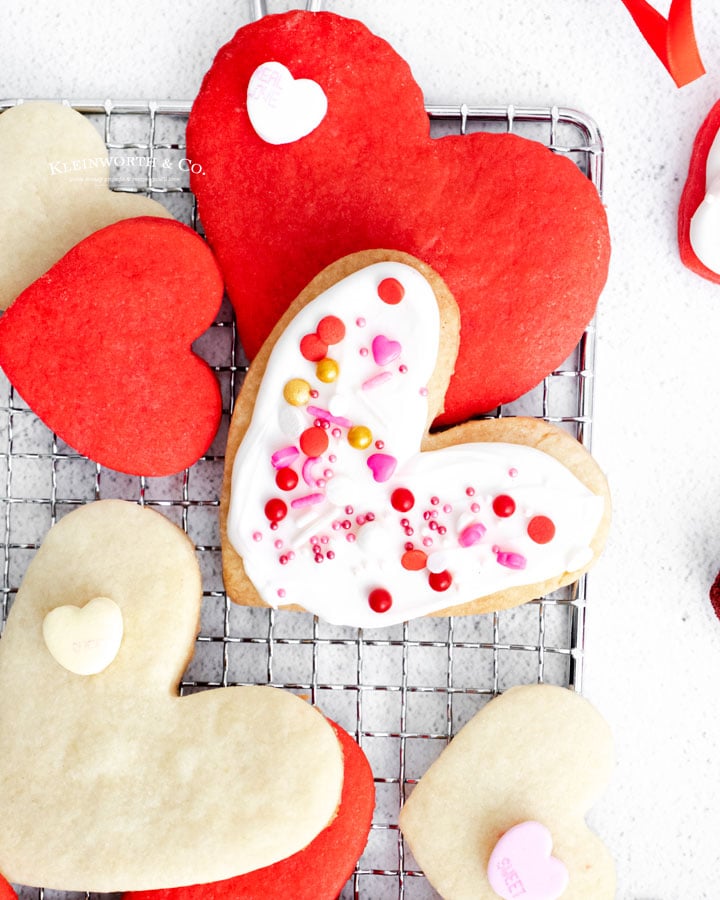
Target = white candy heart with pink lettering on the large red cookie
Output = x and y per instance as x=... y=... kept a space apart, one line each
x=283 y=109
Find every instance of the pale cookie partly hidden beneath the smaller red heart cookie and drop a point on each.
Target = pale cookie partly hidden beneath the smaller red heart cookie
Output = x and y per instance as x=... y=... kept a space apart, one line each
x=53 y=191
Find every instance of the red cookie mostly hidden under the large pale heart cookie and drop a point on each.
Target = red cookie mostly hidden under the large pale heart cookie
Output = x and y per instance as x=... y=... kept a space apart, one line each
x=320 y=870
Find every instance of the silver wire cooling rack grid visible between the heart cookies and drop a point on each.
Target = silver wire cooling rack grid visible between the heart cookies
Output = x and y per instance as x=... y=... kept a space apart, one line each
x=403 y=691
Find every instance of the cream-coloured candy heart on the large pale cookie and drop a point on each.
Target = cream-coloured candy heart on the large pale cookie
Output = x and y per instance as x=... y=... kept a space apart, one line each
x=84 y=639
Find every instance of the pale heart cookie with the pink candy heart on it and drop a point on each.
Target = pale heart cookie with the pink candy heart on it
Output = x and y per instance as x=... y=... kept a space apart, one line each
x=539 y=757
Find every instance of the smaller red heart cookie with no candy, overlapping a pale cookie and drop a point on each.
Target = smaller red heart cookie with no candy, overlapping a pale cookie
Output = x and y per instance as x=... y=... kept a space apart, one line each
x=100 y=346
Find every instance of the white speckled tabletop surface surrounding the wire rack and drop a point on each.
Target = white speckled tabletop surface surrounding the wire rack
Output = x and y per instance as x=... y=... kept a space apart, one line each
x=653 y=643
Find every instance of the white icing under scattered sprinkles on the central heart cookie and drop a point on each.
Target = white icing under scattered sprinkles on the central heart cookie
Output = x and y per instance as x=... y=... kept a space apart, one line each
x=358 y=553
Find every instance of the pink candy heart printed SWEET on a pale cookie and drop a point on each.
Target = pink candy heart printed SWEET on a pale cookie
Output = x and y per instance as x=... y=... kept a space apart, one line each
x=521 y=865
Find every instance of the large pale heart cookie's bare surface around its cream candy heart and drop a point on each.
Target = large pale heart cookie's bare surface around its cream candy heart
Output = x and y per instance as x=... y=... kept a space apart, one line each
x=169 y=790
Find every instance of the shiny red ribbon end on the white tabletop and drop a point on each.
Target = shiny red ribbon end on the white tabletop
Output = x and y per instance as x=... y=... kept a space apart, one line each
x=672 y=39
